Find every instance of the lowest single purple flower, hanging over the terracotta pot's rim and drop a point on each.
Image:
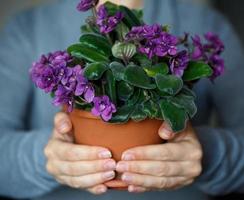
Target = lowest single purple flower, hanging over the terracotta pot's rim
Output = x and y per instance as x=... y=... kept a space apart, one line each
x=103 y=107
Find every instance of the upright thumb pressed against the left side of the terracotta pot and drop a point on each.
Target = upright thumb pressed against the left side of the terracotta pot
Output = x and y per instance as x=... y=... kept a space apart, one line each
x=63 y=125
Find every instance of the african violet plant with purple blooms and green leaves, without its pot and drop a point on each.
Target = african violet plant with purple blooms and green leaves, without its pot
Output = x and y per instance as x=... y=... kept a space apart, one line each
x=124 y=69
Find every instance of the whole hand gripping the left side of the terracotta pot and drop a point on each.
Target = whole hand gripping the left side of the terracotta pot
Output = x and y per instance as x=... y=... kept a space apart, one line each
x=78 y=166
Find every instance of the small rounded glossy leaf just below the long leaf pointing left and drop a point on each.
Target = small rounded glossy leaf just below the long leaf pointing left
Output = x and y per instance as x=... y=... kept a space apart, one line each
x=94 y=71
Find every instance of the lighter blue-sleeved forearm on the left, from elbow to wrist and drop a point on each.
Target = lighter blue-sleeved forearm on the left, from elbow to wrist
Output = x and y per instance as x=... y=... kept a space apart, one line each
x=22 y=168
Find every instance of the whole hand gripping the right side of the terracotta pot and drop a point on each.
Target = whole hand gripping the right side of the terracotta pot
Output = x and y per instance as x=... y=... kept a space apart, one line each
x=165 y=166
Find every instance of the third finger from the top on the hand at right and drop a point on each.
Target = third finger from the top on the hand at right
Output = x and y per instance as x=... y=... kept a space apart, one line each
x=152 y=181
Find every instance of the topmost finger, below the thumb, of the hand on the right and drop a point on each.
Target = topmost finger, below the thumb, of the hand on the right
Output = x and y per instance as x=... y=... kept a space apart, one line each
x=162 y=152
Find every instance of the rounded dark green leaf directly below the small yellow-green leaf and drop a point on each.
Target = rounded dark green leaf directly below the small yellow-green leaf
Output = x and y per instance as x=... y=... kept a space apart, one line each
x=169 y=83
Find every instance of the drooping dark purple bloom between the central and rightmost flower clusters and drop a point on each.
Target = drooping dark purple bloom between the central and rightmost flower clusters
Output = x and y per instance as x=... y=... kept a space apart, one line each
x=179 y=63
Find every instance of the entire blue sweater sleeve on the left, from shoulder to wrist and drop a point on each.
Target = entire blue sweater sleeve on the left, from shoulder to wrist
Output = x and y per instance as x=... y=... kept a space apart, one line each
x=22 y=162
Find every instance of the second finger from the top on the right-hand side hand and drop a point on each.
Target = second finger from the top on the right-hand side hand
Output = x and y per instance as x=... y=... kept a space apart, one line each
x=161 y=168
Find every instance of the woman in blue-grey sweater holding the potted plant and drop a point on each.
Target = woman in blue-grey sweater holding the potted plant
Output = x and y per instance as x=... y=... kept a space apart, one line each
x=26 y=117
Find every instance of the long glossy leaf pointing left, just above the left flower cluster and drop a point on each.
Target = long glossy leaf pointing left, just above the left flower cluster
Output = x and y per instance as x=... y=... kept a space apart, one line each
x=87 y=53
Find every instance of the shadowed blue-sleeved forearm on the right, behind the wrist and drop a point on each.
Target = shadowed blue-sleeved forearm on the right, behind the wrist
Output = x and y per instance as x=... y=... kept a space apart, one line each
x=223 y=158
